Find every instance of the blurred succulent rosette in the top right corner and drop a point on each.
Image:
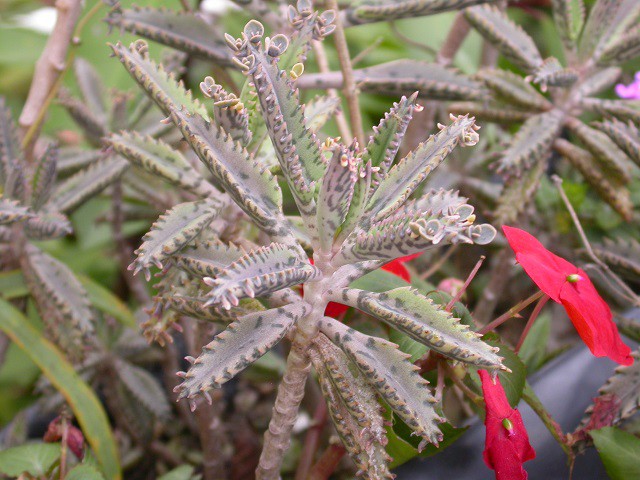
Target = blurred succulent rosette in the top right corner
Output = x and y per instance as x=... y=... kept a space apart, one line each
x=552 y=115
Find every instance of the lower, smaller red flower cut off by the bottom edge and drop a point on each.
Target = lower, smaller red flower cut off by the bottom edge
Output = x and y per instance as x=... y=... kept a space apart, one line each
x=507 y=444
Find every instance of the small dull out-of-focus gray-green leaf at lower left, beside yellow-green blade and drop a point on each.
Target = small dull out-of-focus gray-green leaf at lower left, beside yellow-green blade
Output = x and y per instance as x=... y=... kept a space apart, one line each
x=144 y=388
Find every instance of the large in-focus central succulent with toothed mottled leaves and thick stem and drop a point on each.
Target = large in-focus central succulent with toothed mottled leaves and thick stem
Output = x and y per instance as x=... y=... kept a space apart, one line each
x=357 y=209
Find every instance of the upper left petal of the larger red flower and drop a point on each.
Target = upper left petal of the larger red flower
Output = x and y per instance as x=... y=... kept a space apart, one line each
x=548 y=271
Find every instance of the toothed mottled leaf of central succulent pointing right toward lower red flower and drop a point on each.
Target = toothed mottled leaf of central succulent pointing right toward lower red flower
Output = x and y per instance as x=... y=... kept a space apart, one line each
x=419 y=317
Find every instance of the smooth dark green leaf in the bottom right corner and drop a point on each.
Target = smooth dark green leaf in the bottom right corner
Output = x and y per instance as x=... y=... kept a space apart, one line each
x=619 y=451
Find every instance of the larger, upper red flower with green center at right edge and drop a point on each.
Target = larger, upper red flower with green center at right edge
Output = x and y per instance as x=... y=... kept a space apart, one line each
x=570 y=286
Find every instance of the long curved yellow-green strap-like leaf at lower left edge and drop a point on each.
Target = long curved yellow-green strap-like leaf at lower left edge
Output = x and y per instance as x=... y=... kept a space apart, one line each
x=83 y=401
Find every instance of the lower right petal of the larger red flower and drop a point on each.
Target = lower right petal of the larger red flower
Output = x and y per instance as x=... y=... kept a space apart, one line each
x=592 y=318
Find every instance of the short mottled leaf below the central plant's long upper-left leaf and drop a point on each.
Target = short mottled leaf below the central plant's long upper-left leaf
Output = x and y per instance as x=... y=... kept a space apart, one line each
x=158 y=158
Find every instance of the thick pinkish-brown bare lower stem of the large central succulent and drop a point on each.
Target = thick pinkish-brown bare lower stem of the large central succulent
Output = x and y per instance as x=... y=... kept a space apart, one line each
x=278 y=436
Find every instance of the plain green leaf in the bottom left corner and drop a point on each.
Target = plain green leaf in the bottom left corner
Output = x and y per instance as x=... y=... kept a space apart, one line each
x=36 y=459
